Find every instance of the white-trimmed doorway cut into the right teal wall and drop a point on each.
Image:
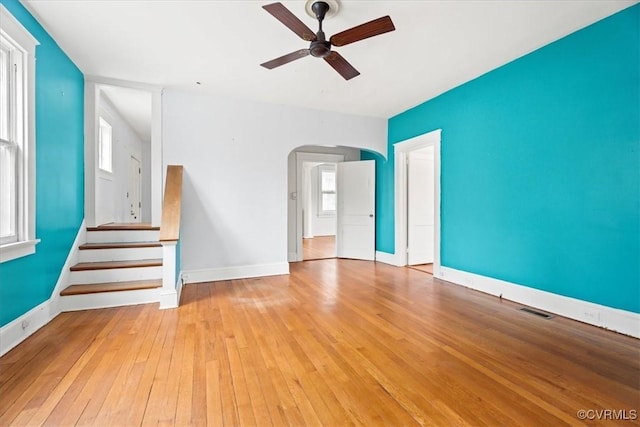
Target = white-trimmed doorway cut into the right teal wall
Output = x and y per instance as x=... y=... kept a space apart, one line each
x=417 y=202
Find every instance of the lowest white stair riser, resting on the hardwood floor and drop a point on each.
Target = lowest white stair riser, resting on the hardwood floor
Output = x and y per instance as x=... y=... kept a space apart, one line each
x=109 y=299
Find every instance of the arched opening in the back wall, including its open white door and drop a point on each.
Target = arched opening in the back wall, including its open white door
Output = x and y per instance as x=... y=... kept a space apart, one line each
x=331 y=204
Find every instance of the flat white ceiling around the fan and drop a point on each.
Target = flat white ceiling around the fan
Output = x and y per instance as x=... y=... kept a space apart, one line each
x=437 y=45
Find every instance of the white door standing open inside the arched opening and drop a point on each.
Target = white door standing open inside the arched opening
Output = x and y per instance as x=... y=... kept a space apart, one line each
x=356 y=183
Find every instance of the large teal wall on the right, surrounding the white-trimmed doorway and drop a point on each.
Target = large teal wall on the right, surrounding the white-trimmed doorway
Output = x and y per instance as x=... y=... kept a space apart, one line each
x=541 y=167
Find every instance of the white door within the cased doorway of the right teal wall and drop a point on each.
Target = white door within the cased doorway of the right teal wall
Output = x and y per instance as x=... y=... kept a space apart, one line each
x=420 y=203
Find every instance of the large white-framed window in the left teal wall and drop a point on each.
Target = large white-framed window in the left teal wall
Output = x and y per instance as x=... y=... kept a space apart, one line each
x=17 y=139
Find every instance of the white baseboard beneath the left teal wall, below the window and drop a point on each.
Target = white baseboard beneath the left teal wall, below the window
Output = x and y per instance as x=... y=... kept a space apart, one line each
x=16 y=331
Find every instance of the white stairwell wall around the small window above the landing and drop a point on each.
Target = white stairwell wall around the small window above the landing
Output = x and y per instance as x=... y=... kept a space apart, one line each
x=112 y=188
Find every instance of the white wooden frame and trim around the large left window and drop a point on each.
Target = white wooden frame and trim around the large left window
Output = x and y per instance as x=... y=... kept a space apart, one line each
x=22 y=134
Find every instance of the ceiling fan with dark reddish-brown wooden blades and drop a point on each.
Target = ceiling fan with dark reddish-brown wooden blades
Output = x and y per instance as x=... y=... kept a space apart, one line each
x=321 y=47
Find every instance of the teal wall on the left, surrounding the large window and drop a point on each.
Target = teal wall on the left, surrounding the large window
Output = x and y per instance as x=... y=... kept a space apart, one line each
x=29 y=281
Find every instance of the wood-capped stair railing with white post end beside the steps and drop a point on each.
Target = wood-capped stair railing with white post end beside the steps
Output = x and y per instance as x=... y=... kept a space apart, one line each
x=170 y=238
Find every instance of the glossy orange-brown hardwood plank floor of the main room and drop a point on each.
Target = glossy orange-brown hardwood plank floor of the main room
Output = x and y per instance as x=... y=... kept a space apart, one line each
x=337 y=342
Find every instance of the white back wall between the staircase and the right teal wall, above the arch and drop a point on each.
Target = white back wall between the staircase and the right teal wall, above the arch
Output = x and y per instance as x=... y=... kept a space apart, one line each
x=237 y=161
